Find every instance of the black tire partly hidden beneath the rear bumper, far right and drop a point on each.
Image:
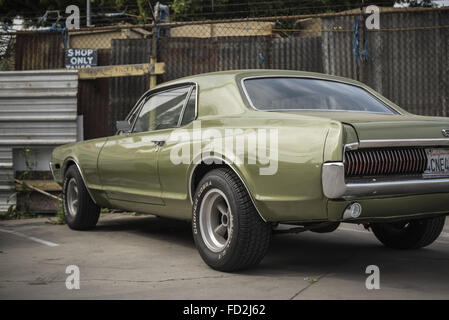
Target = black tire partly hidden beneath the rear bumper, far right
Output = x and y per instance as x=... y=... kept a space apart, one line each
x=413 y=234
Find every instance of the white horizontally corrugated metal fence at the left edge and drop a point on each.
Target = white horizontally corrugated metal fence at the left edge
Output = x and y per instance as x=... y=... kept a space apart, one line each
x=37 y=108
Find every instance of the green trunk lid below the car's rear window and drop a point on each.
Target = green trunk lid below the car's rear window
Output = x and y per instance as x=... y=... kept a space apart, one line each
x=371 y=126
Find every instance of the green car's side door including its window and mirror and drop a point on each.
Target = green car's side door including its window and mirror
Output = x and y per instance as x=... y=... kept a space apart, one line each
x=128 y=162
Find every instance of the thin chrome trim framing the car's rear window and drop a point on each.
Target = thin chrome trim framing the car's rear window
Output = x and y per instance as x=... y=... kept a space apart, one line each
x=242 y=84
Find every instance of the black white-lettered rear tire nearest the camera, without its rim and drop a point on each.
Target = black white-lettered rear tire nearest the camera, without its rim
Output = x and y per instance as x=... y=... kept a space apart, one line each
x=249 y=236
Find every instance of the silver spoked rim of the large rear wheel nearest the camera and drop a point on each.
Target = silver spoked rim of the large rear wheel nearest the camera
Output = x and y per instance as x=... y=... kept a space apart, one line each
x=215 y=220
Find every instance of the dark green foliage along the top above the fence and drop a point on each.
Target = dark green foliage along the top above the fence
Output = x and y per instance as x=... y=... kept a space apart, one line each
x=31 y=10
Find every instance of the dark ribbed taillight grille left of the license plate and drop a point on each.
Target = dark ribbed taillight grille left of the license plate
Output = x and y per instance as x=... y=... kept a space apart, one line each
x=389 y=161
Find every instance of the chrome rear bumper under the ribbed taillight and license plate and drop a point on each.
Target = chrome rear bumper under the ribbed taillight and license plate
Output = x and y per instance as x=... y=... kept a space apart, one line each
x=335 y=186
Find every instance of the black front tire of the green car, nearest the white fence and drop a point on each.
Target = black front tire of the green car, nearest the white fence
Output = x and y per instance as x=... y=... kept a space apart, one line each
x=85 y=215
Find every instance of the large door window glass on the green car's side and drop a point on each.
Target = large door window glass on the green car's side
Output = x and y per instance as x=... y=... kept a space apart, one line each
x=162 y=110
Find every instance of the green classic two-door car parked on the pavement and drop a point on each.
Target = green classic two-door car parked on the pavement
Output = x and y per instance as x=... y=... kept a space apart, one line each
x=243 y=154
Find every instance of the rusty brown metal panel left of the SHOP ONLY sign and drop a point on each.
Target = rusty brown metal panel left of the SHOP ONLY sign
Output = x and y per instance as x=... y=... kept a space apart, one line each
x=39 y=50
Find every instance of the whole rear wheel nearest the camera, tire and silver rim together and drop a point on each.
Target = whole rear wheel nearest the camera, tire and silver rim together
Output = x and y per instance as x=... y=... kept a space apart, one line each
x=228 y=231
